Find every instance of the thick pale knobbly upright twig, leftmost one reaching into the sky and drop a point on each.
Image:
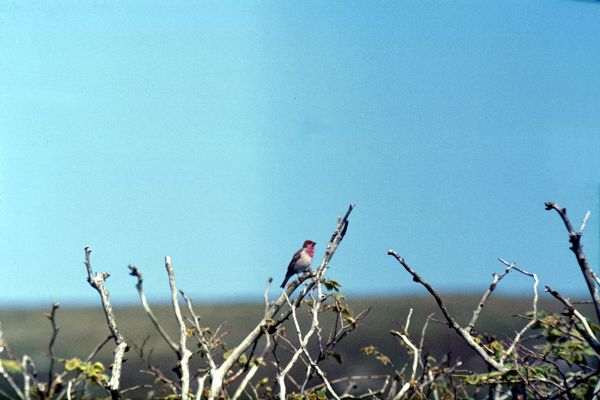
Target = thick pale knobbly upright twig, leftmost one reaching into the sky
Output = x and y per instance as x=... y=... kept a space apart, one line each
x=97 y=282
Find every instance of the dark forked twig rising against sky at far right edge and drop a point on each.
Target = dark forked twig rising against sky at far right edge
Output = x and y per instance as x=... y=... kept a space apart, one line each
x=577 y=249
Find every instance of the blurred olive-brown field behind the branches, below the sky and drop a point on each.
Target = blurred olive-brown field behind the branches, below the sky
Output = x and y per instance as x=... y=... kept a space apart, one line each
x=81 y=329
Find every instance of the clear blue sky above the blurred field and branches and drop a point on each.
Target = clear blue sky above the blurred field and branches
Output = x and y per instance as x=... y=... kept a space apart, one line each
x=224 y=134
